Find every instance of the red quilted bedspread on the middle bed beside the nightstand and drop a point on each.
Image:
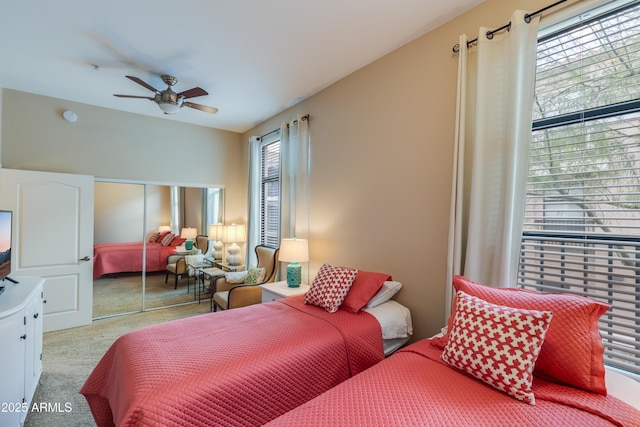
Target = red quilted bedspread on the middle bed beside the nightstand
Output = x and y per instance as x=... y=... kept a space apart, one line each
x=237 y=367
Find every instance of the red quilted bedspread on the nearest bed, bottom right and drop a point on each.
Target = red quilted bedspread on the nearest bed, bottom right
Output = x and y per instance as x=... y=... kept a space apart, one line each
x=415 y=388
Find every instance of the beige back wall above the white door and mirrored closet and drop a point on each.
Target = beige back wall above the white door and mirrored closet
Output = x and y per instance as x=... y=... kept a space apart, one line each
x=112 y=144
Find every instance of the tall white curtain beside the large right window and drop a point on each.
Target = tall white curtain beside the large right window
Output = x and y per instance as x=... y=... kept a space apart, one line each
x=493 y=131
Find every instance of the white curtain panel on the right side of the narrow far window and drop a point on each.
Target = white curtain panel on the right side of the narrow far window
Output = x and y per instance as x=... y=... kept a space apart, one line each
x=295 y=155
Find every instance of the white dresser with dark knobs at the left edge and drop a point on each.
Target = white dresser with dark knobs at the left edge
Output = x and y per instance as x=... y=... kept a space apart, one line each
x=21 y=349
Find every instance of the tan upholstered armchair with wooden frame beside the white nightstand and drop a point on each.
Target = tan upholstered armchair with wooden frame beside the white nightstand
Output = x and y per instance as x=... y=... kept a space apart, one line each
x=232 y=295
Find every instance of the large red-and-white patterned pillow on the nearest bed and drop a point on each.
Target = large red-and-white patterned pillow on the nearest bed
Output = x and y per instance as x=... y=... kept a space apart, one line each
x=498 y=345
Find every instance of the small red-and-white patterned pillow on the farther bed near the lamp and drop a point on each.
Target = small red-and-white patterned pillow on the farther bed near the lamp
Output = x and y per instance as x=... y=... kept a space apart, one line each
x=330 y=287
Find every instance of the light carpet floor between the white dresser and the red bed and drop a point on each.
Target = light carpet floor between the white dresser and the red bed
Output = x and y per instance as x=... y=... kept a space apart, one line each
x=70 y=355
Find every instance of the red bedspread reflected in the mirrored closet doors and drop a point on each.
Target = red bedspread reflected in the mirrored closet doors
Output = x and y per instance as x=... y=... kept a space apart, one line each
x=127 y=257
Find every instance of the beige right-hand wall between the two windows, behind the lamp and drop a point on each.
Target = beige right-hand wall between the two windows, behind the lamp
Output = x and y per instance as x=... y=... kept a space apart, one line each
x=382 y=142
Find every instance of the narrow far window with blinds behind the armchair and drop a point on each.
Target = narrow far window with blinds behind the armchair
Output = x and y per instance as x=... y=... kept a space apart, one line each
x=270 y=194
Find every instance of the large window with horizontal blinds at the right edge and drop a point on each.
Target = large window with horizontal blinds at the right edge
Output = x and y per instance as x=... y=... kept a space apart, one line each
x=582 y=217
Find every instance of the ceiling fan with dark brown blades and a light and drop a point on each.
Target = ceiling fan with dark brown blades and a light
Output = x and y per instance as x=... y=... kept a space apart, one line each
x=168 y=100
